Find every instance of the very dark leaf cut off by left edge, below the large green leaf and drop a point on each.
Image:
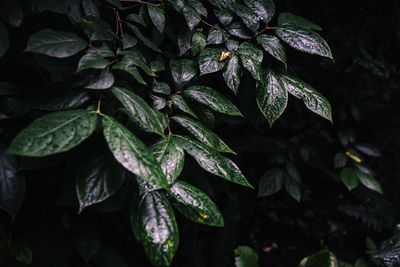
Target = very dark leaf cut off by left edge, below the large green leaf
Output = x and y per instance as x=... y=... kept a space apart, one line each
x=12 y=184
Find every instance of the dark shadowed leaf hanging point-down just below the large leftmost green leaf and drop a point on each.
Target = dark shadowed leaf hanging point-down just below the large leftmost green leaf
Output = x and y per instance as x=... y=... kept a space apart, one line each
x=99 y=179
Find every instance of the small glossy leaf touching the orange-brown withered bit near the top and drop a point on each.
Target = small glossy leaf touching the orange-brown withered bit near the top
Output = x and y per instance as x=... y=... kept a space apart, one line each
x=209 y=60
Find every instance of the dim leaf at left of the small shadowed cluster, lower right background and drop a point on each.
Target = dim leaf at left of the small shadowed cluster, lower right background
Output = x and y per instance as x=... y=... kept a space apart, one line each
x=271 y=182
